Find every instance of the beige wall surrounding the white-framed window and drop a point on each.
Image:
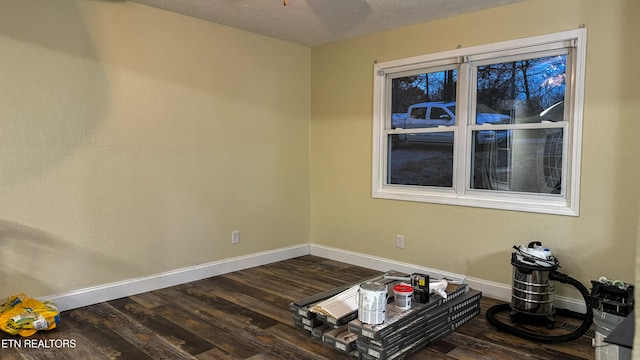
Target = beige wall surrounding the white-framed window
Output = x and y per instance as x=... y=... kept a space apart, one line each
x=472 y=241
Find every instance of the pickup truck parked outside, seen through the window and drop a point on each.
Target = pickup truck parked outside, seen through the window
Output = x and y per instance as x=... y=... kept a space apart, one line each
x=440 y=114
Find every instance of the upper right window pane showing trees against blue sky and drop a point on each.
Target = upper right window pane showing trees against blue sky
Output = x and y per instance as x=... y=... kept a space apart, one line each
x=518 y=92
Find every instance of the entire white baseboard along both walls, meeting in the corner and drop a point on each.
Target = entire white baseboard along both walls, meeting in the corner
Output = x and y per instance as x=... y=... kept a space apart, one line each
x=116 y=290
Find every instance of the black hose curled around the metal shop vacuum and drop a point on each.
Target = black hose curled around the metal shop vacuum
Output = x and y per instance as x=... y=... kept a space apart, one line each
x=549 y=339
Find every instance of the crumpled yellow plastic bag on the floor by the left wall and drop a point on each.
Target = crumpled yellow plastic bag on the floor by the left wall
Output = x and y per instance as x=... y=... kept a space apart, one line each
x=20 y=315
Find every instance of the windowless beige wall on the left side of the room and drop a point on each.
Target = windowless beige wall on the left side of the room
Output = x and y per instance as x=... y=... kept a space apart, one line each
x=134 y=140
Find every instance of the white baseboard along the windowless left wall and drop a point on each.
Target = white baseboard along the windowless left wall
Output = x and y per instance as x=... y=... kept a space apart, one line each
x=116 y=290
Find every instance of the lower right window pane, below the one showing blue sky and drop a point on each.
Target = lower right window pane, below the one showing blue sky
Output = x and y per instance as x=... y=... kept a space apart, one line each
x=518 y=160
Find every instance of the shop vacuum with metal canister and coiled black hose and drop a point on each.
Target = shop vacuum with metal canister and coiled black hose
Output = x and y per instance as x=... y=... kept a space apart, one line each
x=533 y=288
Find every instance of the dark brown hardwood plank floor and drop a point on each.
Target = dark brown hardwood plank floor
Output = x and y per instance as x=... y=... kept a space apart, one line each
x=245 y=315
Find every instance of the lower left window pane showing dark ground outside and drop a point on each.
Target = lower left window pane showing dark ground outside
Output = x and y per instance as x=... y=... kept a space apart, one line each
x=425 y=164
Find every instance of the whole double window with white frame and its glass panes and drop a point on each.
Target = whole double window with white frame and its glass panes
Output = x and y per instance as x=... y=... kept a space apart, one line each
x=495 y=126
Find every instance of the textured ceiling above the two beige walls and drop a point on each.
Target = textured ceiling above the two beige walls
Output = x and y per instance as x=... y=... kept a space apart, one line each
x=316 y=22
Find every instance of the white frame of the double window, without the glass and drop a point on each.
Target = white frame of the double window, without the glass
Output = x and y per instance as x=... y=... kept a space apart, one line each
x=566 y=203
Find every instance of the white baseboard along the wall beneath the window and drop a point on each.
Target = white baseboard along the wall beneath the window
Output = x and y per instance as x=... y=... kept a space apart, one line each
x=489 y=288
